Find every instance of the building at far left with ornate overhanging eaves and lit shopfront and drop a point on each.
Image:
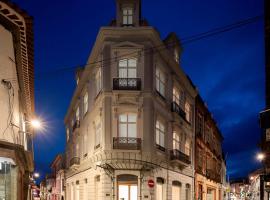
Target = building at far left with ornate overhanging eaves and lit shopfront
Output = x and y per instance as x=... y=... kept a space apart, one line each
x=16 y=101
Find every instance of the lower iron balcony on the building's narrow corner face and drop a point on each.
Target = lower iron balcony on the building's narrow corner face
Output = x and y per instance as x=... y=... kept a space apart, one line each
x=127 y=143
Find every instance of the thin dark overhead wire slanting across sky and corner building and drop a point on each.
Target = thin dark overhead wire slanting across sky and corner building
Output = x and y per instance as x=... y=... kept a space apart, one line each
x=158 y=48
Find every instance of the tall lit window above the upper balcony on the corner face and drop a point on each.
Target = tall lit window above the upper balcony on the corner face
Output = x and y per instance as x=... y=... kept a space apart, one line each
x=127 y=68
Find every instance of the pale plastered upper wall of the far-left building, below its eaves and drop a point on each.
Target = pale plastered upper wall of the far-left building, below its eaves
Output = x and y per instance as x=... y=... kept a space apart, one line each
x=9 y=104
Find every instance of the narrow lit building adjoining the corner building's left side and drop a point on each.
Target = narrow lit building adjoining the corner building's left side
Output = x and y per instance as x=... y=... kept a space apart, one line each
x=58 y=168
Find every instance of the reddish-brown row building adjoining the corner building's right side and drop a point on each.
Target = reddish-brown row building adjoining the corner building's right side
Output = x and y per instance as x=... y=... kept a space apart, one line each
x=209 y=164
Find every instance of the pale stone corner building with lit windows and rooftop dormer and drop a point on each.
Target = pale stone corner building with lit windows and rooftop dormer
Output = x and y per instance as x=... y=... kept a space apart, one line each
x=131 y=118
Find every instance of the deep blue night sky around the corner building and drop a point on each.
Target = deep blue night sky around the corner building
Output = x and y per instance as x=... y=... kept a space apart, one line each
x=227 y=68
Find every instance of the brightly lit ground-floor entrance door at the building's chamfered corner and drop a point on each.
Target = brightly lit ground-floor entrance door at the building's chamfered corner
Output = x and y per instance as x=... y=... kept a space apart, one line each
x=127 y=187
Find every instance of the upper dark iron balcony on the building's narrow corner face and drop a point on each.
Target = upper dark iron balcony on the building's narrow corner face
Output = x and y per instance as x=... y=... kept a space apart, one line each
x=127 y=84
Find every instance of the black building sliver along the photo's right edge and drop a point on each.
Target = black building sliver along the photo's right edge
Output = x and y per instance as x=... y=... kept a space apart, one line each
x=265 y=115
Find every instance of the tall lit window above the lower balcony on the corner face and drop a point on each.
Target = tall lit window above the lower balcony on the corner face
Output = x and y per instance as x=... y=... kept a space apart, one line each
x=128 y=125
